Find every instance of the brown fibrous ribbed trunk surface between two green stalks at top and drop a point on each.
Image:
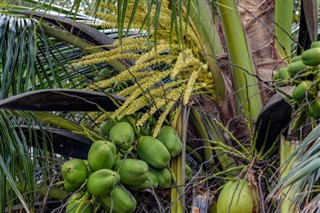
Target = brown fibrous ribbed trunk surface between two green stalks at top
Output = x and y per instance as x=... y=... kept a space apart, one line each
x=258 y=21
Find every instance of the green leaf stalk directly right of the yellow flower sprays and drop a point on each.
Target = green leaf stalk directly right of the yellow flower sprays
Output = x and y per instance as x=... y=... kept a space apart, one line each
x=203 y=23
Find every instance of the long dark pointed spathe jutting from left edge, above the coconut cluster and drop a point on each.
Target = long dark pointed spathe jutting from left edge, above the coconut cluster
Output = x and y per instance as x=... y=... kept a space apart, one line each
x=61 y=100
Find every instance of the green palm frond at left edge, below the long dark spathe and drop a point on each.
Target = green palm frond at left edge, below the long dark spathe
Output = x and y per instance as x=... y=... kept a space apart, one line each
x=17 y=163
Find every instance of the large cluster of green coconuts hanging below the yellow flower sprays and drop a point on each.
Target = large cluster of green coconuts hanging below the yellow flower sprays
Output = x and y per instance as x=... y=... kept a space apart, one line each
x=119 y=165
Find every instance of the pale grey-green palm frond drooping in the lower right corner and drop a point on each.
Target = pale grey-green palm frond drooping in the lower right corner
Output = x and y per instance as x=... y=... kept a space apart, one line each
x=303 y=176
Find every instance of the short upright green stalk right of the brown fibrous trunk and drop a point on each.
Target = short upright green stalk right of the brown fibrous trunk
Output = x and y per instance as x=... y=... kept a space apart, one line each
x=283 y=20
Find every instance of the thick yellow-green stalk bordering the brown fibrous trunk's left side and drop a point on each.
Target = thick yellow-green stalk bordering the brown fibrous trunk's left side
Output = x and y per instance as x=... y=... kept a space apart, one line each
x=242 y=69
